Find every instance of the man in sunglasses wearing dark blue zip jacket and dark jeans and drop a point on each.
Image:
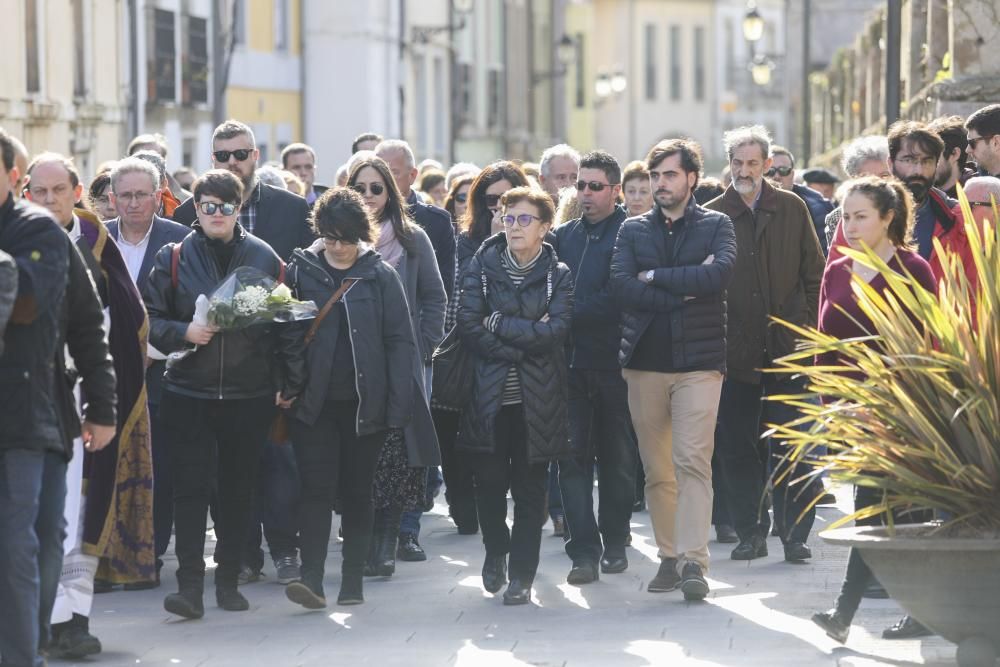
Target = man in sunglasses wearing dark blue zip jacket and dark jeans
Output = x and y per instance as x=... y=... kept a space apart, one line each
x=600 y=429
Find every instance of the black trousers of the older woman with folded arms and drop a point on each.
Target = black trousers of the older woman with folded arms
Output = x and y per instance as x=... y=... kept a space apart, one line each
x=507 y=467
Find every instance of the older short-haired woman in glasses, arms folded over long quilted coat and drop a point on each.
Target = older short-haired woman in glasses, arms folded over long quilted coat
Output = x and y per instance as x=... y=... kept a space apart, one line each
x=514 y=316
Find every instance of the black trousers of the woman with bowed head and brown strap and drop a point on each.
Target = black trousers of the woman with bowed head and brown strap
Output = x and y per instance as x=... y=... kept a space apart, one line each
x=335 y=463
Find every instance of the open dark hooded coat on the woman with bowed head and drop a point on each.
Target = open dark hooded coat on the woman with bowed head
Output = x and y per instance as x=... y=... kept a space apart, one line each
x=382 y=340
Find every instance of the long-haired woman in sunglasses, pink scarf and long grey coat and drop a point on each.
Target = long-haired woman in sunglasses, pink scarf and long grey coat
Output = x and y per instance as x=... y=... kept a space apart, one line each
x=401 y=476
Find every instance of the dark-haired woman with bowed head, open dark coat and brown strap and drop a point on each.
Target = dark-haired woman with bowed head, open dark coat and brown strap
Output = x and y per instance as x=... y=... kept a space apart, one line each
x=360 y=387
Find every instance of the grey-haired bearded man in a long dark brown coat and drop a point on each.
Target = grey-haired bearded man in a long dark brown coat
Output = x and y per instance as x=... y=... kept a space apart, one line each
x=779 y=265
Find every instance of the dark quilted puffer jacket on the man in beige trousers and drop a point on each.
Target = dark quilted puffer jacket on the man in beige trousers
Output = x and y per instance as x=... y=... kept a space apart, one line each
x=697 y=326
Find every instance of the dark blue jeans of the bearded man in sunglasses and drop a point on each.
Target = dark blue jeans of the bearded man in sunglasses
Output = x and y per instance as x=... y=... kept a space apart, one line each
x=600 y=429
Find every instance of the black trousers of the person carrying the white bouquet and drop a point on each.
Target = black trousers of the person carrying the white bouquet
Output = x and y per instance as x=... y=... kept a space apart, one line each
x=213 y=445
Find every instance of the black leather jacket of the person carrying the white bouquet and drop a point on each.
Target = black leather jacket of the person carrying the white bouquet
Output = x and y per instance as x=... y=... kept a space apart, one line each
x=247 y=363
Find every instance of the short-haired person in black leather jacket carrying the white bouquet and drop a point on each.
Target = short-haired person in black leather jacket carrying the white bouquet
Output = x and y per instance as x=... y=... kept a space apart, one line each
x=219 y=399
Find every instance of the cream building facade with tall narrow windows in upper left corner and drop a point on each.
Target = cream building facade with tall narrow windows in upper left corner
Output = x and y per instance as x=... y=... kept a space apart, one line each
x=56 y=92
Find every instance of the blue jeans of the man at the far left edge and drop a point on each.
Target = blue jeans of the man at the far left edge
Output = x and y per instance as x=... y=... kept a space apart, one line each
x=32 y=497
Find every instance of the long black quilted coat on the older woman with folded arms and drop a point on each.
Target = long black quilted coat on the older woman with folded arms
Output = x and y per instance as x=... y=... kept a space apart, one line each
x=521 y=339
